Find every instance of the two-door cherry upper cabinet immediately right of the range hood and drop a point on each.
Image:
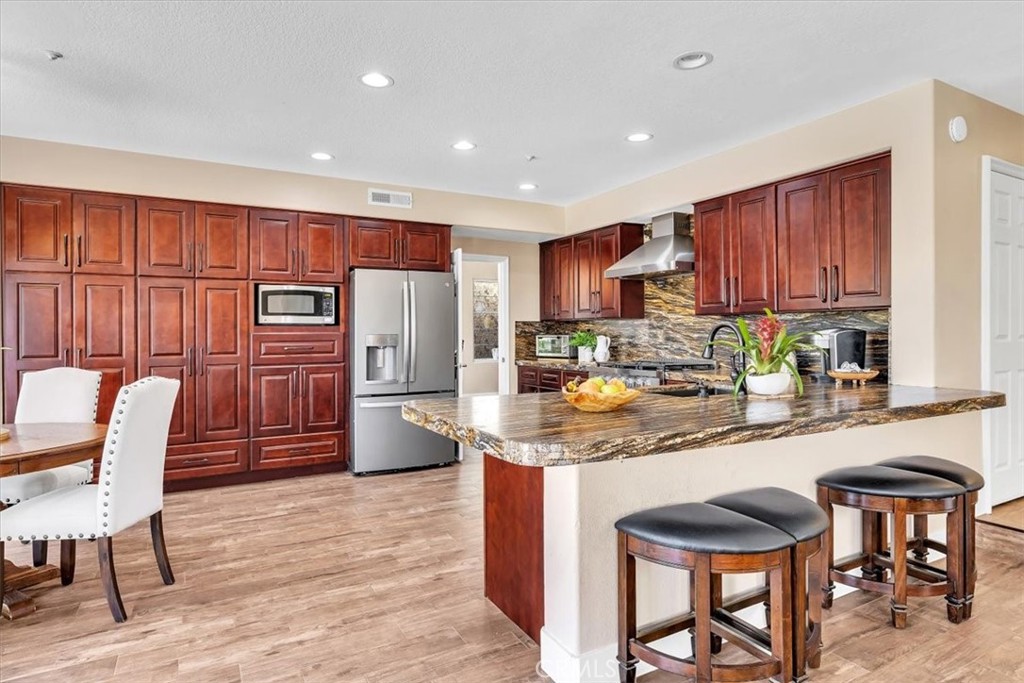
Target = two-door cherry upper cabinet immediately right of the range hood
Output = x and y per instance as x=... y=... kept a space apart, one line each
x=735 y=243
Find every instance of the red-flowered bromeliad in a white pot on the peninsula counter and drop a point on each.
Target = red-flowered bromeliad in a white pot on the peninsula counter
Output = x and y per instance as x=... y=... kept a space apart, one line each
x=772 y=356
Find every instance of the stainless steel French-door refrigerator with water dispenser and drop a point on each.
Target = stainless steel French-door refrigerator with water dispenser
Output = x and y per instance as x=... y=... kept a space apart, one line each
x=404 y=348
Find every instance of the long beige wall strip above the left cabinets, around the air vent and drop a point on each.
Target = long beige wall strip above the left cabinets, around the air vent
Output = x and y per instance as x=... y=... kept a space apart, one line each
x=39 y=163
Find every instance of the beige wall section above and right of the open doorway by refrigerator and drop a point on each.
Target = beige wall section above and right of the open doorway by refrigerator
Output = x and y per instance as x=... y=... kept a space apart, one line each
x=525 y=283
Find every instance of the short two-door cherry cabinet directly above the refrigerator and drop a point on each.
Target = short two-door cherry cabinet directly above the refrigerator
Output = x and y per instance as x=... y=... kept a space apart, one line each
x=390 y=244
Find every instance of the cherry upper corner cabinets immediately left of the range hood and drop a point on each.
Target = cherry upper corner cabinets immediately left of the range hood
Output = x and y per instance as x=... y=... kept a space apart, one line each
x=573 y=282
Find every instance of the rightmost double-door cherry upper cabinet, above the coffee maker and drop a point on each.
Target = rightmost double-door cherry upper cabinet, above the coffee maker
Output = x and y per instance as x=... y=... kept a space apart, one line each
x=834 y=239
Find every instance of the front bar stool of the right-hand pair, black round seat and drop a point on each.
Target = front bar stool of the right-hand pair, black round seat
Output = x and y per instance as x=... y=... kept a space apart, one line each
x=877 y=492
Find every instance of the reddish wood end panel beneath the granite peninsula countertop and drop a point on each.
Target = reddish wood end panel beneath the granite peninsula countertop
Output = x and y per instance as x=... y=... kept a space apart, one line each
x=514 y=542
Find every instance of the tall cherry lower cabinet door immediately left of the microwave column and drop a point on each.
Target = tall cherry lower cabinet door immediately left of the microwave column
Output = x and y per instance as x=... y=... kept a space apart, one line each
x=223 y=360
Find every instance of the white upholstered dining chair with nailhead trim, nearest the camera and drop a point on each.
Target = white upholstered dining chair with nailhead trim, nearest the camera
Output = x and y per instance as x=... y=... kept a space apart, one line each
x=131 y=489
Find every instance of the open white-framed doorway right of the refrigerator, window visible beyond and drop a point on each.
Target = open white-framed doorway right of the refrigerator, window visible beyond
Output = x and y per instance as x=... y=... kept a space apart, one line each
x=484 y=323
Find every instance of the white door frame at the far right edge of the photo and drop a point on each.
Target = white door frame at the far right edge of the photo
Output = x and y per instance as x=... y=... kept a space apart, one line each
x=990 y=165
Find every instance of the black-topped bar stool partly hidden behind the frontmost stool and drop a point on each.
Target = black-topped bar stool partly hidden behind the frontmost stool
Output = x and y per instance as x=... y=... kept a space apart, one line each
x=807 y=524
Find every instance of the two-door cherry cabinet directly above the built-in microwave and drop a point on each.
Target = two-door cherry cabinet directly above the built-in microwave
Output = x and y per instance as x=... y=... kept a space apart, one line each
x=297 y=247
